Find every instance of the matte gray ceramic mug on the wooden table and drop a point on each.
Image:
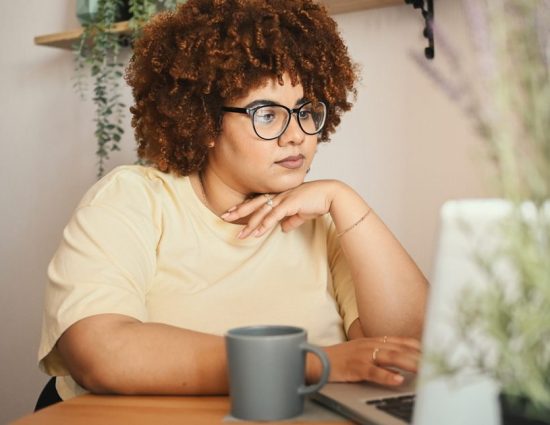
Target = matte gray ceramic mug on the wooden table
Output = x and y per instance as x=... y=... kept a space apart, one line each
x=267 y=371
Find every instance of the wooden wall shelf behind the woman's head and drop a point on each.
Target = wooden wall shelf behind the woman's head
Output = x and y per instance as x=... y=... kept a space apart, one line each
x=66 y=40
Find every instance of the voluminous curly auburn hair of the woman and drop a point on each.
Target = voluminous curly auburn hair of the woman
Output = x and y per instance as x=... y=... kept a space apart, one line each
x=190 y=62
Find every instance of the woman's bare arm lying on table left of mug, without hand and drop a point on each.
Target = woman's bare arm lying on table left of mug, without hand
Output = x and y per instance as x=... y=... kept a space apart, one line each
x=111 y=353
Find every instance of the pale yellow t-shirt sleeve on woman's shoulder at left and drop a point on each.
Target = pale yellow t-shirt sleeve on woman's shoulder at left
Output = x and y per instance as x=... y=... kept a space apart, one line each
x=105 y=261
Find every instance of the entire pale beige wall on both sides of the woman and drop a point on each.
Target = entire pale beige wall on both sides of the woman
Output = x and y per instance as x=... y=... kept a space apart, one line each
x=404 y=147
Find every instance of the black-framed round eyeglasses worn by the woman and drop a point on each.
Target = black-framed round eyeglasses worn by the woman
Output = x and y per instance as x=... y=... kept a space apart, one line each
x=271 y=120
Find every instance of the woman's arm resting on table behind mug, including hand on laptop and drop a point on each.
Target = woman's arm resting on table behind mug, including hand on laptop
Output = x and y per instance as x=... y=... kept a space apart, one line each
x=116 y=354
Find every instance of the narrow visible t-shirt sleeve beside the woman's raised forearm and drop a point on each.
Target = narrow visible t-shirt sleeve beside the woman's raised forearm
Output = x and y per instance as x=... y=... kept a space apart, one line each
x=342 y=281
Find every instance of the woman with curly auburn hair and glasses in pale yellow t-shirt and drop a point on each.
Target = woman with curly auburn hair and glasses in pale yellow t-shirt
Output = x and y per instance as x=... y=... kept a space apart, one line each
x=158 y=262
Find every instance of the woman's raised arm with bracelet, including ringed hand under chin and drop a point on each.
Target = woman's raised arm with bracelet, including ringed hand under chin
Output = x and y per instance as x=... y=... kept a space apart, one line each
x=390 y=289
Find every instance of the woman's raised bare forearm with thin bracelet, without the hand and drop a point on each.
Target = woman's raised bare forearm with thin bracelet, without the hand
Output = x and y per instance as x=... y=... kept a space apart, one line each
x=390 y=289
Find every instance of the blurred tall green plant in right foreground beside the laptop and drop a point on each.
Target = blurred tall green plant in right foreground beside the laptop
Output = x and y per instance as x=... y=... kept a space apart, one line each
x=511 y=111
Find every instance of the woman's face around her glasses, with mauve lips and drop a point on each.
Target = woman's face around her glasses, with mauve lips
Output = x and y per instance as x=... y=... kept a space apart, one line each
x=249 y=164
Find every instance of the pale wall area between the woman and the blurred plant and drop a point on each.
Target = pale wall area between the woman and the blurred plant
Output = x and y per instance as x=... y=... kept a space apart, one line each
x=405 y=147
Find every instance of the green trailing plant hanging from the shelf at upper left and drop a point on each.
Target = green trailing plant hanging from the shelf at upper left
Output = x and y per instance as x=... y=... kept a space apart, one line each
x=98 y=53
